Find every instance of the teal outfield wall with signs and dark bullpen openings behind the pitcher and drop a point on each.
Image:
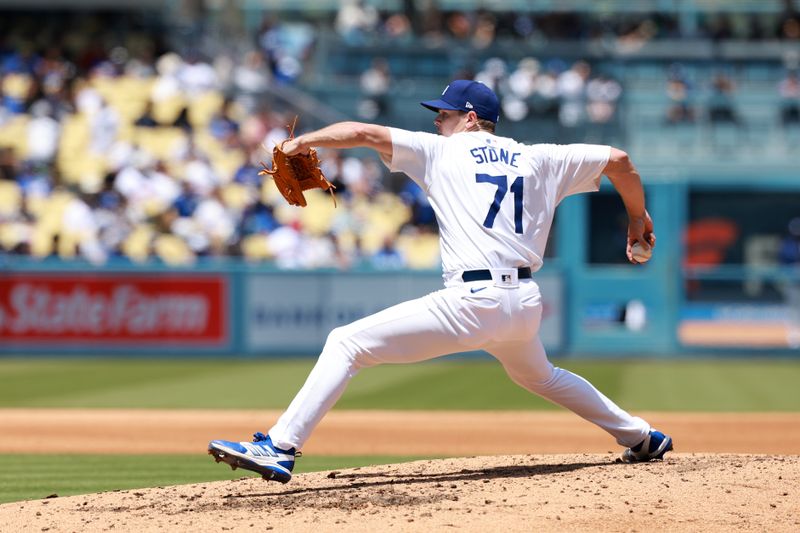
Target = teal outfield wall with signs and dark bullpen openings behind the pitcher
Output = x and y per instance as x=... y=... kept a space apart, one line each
x=701 y=291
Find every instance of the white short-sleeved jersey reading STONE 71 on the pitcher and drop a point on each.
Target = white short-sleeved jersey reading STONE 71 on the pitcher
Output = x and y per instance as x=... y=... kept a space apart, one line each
x=494 y=198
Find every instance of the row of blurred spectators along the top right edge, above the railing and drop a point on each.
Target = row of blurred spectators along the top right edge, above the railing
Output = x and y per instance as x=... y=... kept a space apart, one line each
x=359 y=22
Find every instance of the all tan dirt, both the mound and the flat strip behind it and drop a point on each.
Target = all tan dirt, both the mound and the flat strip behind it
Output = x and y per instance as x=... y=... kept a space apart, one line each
x=693 y=490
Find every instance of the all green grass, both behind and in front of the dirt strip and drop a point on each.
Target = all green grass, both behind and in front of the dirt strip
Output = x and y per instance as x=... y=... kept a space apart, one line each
x=680 y=385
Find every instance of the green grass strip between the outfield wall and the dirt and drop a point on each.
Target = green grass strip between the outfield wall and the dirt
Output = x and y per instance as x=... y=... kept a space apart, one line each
x=682 y=385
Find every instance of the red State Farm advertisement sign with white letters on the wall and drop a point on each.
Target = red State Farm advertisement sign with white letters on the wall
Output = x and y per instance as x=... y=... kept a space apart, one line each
x=113 y=309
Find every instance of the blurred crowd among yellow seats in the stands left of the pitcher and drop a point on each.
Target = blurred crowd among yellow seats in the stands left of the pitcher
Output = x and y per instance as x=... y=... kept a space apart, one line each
x=139 y=155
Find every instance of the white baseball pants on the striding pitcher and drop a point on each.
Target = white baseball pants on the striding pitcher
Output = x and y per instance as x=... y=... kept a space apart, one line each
x=502 y=321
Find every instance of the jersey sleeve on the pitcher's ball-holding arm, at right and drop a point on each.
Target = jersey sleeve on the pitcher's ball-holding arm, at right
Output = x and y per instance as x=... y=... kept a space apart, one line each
x=577 y=167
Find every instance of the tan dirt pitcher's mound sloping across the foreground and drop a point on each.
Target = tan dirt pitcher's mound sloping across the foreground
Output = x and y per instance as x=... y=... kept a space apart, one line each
x=687 y=492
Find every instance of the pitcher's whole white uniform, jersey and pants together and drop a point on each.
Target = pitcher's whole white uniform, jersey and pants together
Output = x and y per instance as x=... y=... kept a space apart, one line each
x=494 y=200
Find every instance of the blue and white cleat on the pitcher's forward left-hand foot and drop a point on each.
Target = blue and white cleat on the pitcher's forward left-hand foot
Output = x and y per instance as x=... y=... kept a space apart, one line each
x=259 y=456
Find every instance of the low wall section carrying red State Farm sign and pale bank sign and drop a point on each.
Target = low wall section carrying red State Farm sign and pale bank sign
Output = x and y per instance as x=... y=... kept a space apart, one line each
x=227 y=311
